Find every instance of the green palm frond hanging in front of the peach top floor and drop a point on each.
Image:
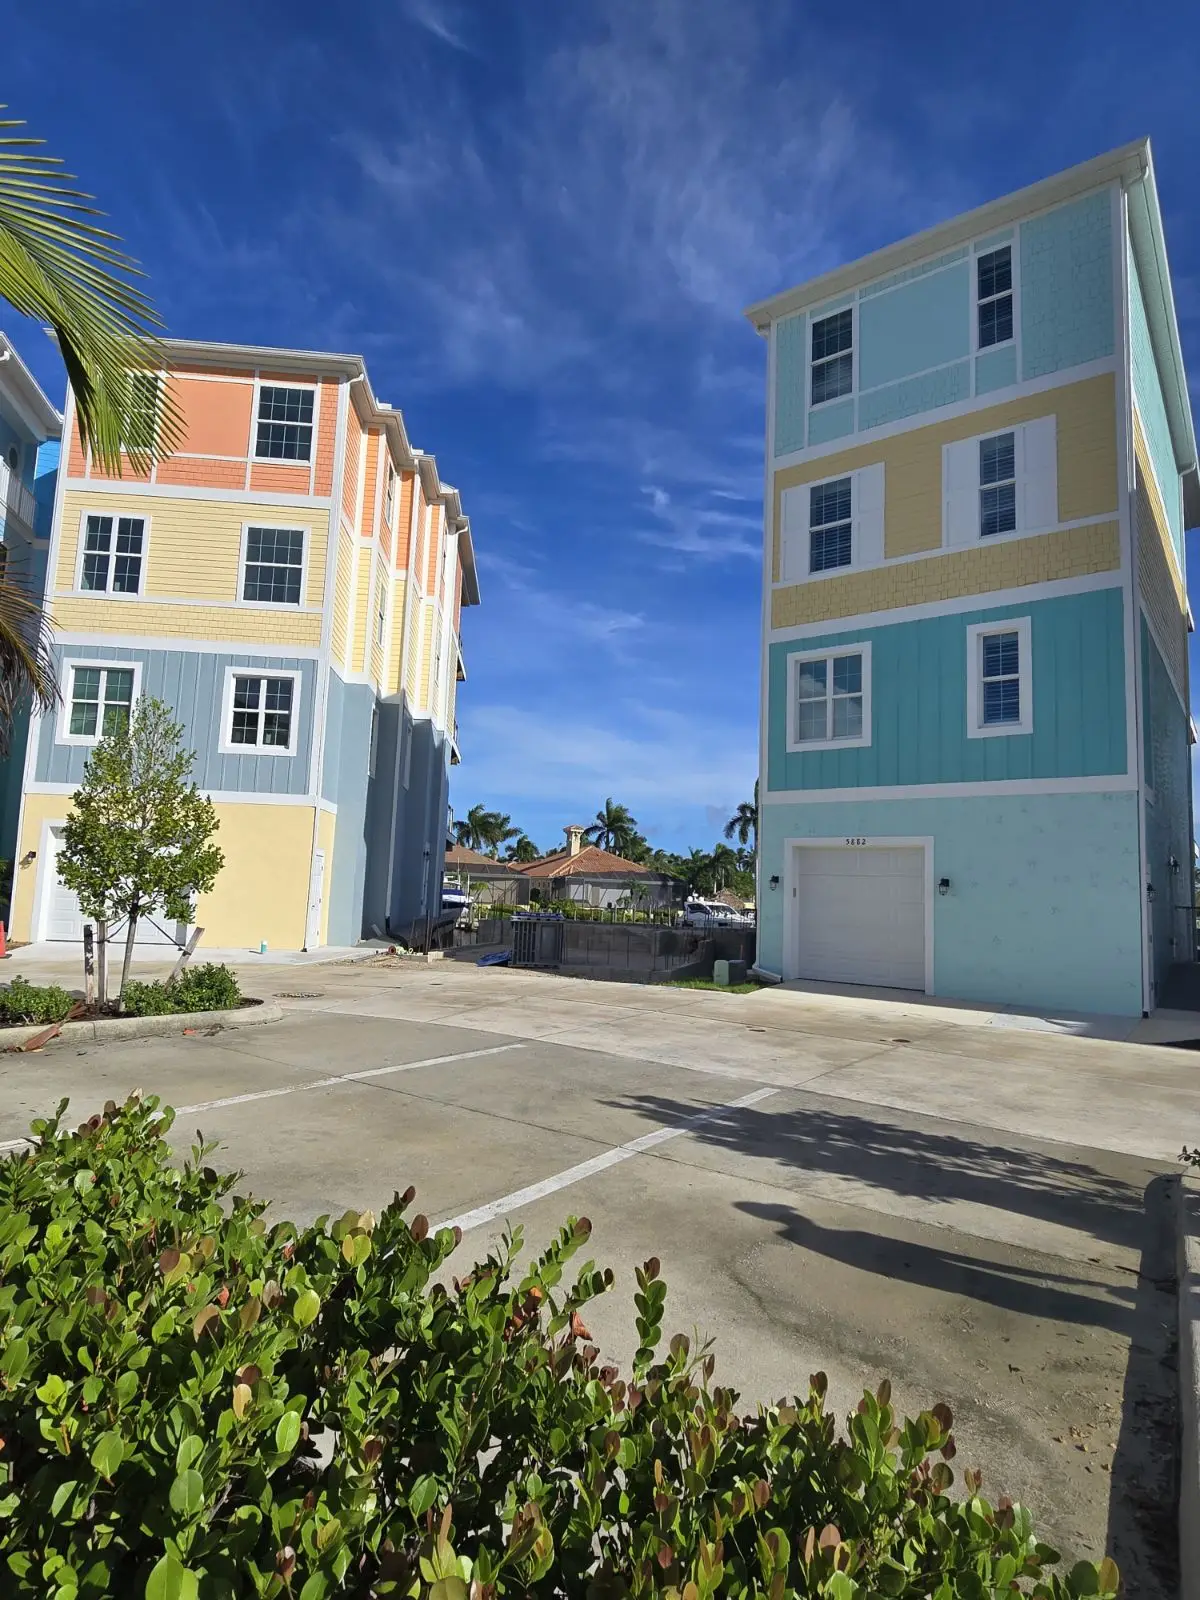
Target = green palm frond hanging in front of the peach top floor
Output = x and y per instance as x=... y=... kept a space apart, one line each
x=60 y=268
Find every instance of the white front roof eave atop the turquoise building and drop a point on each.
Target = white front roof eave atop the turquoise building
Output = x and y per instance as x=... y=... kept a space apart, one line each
x=1126 y=166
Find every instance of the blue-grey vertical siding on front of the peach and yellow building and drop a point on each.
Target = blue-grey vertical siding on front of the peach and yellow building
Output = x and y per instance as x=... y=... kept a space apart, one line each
x=193 y=684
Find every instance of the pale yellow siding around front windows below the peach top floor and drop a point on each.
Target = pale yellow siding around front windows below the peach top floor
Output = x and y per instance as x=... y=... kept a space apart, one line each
x=194 y=546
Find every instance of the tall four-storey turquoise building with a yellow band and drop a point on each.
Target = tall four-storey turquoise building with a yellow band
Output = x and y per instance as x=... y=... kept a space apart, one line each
x=975 y=774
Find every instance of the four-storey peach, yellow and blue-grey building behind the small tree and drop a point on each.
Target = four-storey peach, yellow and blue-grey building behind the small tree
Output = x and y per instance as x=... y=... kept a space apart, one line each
x=292 y=582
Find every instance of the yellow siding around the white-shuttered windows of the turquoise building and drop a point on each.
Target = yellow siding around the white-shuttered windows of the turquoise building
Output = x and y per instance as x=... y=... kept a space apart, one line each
x=913 y=463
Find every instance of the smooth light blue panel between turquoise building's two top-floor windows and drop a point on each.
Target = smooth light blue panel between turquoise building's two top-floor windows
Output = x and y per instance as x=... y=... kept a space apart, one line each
x=921 y=326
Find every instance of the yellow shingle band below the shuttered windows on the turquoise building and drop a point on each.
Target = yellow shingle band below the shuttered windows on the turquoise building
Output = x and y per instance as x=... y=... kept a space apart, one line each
x=1071 y=553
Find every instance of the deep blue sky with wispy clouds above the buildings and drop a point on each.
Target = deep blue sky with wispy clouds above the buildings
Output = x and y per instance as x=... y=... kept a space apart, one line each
x=540 y=225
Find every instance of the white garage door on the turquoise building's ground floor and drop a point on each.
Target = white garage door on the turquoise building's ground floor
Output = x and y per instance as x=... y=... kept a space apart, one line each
x=862 y=916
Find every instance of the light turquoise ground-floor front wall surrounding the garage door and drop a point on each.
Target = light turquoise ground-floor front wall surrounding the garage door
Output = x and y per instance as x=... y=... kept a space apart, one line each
x=1046 y=892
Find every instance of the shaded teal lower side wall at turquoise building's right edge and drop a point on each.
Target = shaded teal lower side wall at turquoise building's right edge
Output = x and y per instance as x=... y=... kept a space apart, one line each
x=1169 y=817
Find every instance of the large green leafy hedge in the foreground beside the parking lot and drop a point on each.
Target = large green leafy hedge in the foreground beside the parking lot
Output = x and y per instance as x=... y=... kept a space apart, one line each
x=194 y=1404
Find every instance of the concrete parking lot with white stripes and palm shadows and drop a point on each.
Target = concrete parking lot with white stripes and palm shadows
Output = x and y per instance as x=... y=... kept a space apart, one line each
x=847 y=1185
